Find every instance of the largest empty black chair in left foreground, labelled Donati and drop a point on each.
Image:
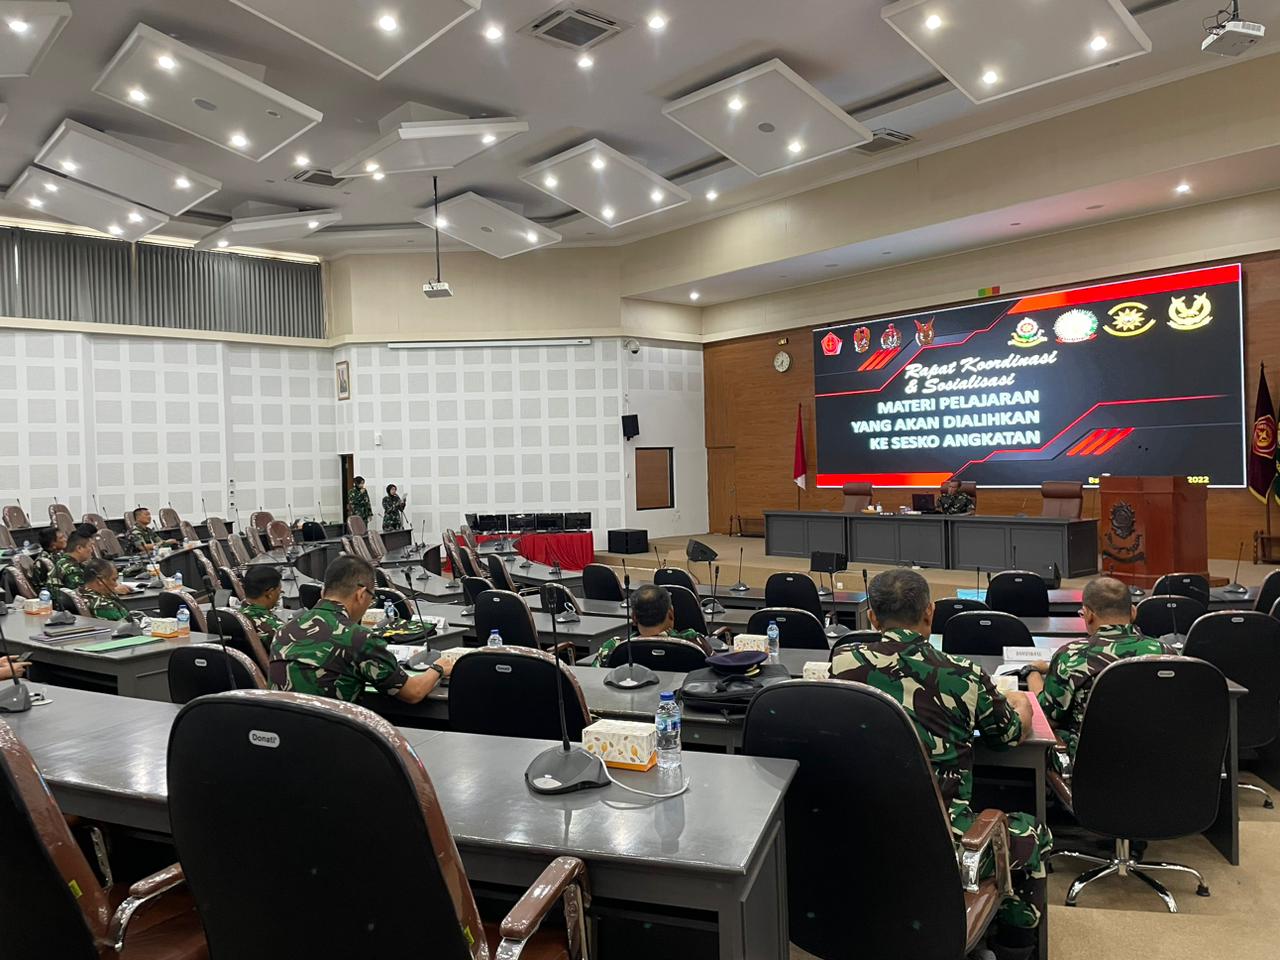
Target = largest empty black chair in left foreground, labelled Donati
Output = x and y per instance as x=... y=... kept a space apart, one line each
x=234 y=757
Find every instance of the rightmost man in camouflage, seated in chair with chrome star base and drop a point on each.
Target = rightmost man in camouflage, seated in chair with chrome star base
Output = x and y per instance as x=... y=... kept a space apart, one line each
x=1063 y=687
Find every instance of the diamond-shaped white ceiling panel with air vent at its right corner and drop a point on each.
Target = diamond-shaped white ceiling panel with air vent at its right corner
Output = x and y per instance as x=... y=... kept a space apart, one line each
x=767 y=120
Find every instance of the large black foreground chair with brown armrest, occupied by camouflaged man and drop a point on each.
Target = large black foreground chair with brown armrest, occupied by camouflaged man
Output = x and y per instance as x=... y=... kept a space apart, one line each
x=862 y=762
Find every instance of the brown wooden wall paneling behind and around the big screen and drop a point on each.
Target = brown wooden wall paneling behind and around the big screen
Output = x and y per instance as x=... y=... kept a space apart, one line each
x=753 y=409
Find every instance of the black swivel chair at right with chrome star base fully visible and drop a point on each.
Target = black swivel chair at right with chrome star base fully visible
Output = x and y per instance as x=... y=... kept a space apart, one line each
x=1130 y=764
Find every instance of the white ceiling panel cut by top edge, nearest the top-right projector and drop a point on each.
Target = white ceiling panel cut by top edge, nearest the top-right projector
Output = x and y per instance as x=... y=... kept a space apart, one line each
x=993 y=48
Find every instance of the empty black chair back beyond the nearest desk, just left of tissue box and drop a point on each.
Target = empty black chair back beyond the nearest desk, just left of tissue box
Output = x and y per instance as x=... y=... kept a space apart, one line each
x=508 y=692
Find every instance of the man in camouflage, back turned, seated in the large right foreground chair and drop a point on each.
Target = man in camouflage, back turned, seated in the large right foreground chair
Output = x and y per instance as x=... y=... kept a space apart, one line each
x=948 y=698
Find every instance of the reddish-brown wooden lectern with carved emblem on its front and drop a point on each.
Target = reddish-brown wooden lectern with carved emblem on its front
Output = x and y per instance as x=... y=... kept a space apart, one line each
x=1151 y=527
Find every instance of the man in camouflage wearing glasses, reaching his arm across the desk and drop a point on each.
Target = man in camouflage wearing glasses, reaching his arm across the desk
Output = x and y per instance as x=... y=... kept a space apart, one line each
x=327 y=652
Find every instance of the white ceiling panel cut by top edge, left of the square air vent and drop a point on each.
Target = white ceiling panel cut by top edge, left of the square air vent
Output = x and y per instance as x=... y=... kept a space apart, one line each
x=373 y=36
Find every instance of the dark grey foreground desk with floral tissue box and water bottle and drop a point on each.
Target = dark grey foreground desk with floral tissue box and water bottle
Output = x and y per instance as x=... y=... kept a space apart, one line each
x=717 y=851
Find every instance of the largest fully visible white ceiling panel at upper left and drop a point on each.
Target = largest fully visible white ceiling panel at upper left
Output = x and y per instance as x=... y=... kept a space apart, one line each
x=164 y=79
